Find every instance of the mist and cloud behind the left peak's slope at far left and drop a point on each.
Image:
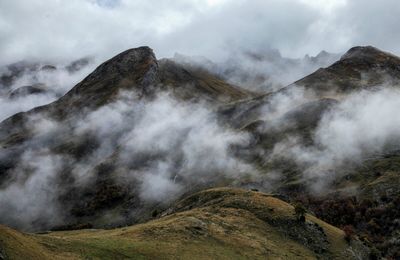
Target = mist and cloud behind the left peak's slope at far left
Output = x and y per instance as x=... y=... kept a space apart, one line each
x=29 y=85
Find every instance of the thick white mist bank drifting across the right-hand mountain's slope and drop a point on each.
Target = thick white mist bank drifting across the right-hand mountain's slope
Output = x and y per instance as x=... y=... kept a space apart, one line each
x=360 y=127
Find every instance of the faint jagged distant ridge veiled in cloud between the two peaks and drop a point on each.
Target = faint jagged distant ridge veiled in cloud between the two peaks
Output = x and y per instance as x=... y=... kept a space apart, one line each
x=260 y=71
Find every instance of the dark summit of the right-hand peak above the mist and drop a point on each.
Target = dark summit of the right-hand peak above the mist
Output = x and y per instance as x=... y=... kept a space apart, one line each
x=359 y=68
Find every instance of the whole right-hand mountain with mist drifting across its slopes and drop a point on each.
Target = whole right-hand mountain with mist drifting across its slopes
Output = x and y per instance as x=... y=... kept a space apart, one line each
x=362 y=192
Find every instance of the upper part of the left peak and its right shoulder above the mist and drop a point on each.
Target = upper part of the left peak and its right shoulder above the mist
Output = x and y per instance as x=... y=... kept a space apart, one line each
x=138 y=70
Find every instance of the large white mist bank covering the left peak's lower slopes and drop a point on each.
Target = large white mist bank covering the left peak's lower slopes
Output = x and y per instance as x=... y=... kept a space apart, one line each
x=160 y=147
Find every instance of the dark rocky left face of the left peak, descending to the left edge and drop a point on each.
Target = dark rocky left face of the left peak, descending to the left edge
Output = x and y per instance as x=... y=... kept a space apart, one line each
x=134 y=69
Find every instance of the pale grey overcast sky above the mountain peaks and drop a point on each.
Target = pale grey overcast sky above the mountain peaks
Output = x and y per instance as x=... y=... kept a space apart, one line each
x=63 y=30
